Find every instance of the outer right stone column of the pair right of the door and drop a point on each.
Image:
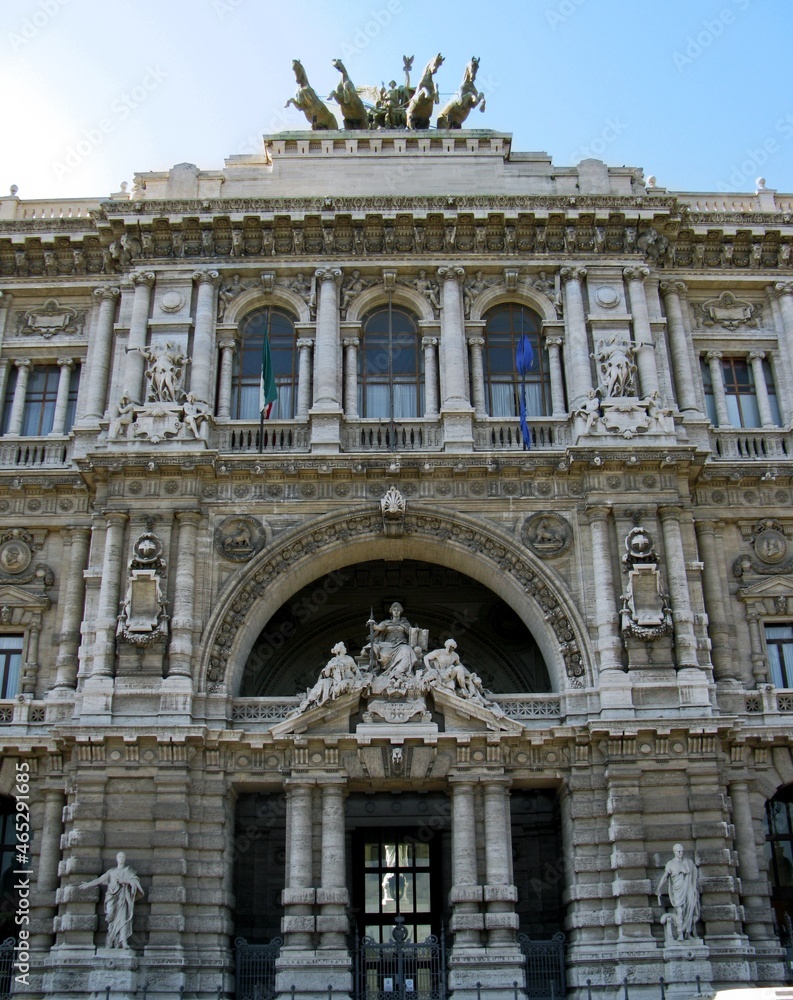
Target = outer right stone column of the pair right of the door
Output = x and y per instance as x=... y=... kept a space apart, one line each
x=501 y=921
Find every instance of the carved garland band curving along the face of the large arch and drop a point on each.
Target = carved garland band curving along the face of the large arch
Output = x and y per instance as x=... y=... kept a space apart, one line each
x=415 y=523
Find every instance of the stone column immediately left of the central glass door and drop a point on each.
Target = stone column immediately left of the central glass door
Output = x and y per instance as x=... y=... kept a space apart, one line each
x=332 y=896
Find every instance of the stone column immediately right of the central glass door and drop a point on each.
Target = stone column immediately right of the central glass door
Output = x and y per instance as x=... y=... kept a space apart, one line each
x=466 y=895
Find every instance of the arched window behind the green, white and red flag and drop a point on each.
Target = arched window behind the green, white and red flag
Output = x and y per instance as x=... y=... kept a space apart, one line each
x=279 y=328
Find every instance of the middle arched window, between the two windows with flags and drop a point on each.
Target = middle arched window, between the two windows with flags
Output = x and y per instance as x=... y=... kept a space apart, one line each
x=390 y=365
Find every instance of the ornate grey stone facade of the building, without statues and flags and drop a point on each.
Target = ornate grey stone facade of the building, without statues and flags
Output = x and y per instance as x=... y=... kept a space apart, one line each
x=174 y=574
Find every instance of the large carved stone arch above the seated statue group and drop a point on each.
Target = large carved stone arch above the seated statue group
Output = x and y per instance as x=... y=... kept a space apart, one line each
x=337 y=540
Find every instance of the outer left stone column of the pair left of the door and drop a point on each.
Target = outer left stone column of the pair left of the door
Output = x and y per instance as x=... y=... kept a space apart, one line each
x=299 y=895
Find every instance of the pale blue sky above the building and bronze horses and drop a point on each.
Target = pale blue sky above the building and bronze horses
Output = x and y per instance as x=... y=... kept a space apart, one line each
x=697 y=93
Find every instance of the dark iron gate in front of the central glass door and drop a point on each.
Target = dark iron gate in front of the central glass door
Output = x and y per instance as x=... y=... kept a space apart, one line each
x=400 y=969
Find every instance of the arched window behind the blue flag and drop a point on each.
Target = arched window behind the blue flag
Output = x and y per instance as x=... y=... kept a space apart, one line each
x=504 y=326
